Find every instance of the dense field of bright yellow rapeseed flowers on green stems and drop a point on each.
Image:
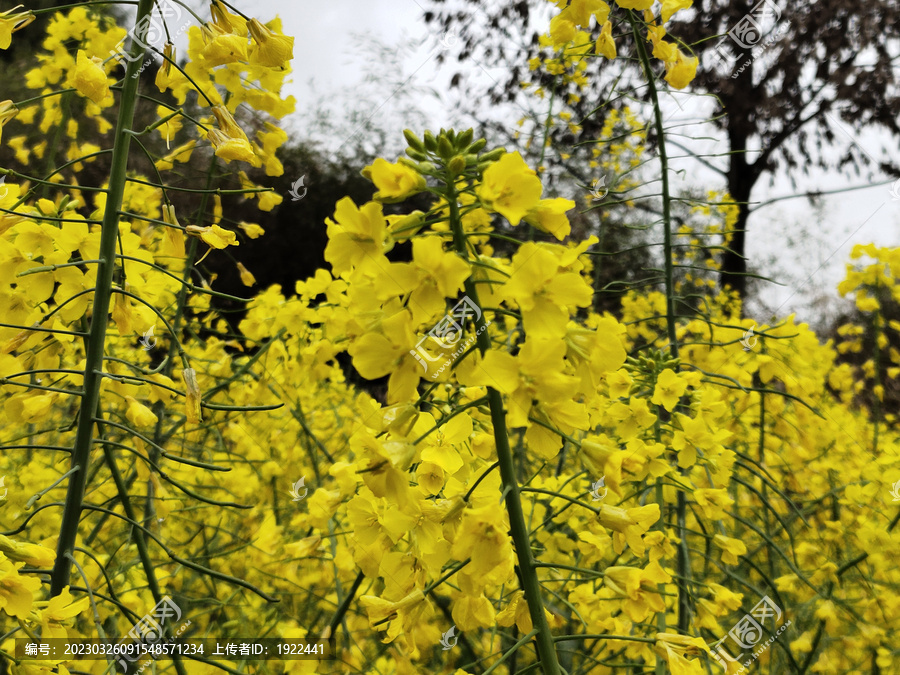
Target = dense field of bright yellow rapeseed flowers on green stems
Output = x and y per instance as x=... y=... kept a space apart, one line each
x=434 y=454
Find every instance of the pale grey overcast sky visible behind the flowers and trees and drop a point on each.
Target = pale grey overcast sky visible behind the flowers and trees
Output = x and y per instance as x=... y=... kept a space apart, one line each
x=331 y=69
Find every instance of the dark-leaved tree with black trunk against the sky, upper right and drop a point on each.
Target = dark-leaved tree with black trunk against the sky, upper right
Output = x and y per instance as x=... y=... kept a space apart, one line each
x=788 y=101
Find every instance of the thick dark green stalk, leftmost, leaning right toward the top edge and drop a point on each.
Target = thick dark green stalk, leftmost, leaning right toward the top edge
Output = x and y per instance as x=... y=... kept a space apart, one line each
x=93 y=371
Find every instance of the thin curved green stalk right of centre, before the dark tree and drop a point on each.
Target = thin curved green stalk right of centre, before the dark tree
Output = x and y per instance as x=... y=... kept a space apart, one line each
x=681 y=503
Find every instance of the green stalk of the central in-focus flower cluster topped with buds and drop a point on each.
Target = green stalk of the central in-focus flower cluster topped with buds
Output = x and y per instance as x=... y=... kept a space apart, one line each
x=530 y=585
